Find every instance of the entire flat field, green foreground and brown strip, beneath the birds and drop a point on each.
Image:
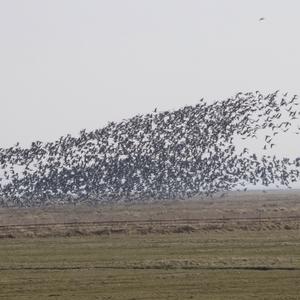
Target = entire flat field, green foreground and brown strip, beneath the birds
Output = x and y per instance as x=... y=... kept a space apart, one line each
x=237 y=247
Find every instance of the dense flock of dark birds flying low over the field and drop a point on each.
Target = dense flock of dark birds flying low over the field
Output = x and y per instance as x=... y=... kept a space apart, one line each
x=188 y=152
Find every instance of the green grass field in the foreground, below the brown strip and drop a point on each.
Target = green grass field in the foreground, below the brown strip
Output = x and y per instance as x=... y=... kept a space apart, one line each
x=199 y=265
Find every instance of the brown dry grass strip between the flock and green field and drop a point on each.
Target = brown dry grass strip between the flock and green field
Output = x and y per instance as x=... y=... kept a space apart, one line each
x=252 y=211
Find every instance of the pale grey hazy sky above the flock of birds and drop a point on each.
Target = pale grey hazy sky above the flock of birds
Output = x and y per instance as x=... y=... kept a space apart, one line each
x=66 y=65
